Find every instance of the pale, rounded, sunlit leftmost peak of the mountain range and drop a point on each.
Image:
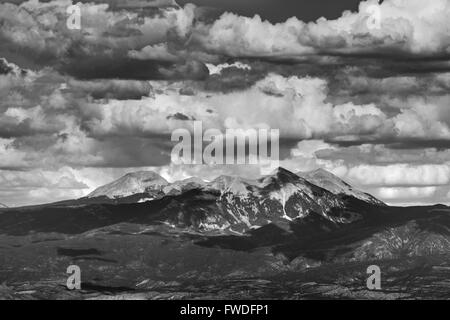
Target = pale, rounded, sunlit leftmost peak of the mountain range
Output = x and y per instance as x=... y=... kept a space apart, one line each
x=130 y=184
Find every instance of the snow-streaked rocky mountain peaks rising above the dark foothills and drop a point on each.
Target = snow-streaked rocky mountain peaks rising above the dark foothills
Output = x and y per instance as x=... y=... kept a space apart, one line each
x=233 y=203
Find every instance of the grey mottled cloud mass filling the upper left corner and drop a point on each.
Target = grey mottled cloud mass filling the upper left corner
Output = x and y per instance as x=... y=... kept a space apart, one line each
x=105 y=38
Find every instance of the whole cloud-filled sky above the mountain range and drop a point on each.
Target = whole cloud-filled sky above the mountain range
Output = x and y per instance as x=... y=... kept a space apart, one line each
x=80 y=108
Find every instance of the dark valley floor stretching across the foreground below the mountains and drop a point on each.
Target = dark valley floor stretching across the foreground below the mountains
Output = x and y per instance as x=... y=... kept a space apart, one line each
x=149 y=265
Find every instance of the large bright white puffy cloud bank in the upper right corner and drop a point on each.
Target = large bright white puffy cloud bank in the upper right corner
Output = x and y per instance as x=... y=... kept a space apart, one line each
x=405 y=27
